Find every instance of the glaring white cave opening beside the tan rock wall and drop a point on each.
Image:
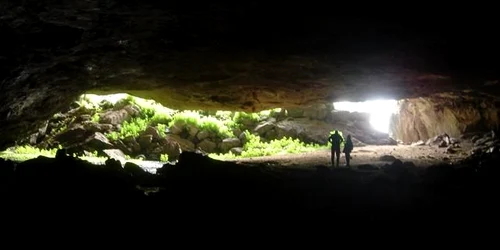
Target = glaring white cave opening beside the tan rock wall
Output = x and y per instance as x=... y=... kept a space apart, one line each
x=380 y=111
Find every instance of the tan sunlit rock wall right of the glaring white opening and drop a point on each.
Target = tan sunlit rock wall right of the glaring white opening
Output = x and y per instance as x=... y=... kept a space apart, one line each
x=452 y=113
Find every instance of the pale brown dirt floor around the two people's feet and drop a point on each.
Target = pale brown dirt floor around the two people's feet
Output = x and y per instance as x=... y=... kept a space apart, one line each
x=421 y=156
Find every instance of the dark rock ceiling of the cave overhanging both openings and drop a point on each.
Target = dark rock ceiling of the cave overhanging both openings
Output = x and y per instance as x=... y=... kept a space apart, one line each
x=249 y=55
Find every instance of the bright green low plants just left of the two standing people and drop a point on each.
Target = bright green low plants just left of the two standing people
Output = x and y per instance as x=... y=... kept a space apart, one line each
x=255 y=147
